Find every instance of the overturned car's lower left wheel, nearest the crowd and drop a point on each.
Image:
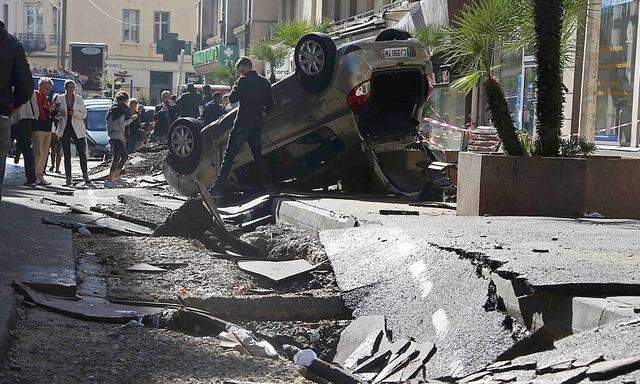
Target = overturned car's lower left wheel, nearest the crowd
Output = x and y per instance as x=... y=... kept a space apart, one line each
x=185 y=145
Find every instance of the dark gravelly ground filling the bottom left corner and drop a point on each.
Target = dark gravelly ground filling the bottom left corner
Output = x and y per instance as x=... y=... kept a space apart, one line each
x=51 y=348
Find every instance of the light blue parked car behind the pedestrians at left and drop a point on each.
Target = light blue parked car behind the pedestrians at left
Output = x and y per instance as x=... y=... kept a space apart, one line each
x=97 y=138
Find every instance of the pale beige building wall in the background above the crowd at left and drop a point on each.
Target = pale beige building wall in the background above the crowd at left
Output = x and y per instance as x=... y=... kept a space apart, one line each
x=87 y=24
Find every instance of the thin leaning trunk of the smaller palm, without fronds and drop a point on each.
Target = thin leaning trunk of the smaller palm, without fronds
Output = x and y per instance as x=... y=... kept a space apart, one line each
x=501 y=118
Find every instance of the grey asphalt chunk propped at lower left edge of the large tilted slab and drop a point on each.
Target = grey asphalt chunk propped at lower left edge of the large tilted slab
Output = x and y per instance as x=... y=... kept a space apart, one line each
x=355 y=334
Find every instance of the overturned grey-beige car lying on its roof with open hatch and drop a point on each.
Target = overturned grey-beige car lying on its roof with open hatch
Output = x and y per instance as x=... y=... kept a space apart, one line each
x=344 y=115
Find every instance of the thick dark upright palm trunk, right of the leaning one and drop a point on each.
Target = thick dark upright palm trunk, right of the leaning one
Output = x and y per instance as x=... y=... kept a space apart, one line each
x=550 y=97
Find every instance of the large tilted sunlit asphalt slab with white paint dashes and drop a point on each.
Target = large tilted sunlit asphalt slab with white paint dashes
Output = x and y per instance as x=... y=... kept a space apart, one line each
x=424 y=292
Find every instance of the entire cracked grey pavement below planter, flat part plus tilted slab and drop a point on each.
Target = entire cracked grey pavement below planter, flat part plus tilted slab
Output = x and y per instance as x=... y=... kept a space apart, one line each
x=443 y=278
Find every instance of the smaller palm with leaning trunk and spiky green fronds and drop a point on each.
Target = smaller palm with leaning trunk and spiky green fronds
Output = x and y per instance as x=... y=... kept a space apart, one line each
x=483 y=28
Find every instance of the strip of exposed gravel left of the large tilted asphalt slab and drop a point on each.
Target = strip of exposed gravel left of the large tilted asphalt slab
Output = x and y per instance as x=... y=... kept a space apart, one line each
x=201 y=275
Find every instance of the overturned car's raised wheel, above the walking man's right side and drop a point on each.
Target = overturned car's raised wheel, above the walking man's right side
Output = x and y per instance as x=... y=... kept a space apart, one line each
x=315 y=57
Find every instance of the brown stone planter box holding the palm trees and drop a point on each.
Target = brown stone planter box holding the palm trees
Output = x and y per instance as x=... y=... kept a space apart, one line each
x=557 y=187
